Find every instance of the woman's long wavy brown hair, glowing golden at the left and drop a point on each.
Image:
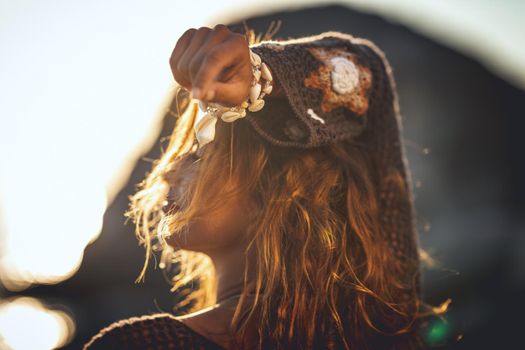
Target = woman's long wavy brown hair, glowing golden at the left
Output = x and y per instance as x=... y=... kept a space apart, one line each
x=326 y=278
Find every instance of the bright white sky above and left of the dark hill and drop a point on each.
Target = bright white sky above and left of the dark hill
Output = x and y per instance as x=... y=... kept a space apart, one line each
x=84 y=83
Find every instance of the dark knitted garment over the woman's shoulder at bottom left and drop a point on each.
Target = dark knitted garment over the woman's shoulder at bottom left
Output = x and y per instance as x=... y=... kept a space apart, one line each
x=150 y=332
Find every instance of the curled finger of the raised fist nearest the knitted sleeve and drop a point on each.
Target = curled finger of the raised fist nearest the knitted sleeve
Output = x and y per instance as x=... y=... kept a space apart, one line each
x=219 y=58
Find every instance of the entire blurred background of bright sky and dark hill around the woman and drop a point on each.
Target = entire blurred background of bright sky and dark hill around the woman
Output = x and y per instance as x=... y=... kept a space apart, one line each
x=85 y=98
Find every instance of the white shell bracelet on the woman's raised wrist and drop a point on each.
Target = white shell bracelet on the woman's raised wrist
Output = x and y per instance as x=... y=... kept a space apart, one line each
x=262 y=84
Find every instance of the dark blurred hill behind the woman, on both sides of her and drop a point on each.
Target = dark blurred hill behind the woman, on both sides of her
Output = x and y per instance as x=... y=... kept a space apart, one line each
x=469 y=193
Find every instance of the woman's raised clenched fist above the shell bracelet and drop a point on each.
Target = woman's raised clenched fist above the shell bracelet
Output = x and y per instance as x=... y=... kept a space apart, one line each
x=214 y=64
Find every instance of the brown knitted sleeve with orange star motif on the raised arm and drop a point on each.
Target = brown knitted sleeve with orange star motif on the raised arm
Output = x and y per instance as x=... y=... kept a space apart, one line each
x=339 y=87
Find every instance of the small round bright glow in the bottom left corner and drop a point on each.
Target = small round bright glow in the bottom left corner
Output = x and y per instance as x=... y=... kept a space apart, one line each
x=27 y=324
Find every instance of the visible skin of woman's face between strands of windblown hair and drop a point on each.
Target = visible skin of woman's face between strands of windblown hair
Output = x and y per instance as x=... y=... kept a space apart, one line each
x=215 y=231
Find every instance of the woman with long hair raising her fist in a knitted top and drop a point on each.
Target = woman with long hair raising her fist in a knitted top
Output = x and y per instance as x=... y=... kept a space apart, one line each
x=297 y=218
